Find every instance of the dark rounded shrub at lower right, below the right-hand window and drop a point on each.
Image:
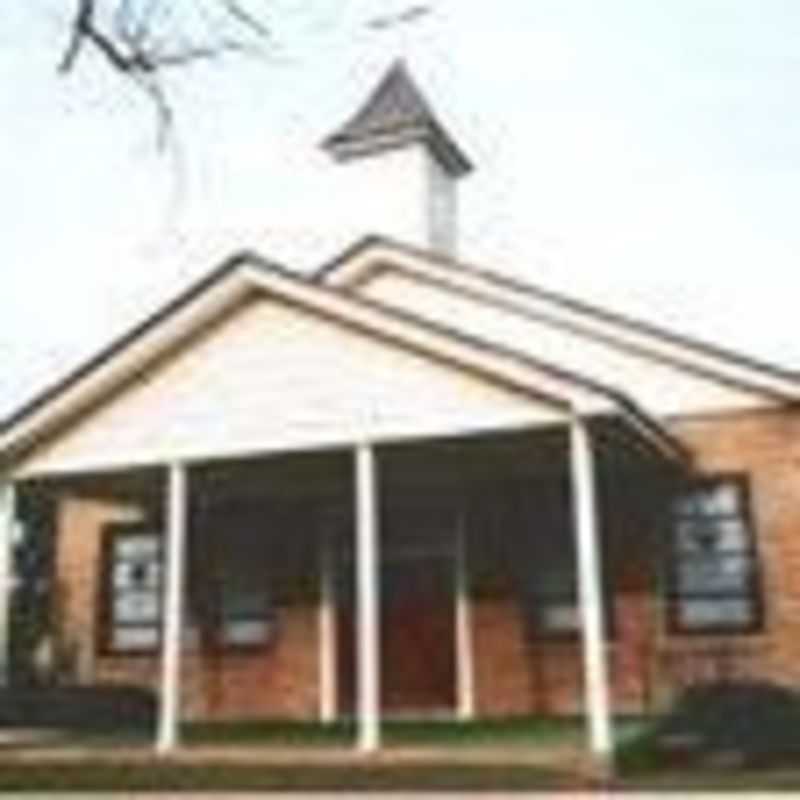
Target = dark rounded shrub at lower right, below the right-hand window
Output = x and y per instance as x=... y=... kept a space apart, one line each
x=721 y=725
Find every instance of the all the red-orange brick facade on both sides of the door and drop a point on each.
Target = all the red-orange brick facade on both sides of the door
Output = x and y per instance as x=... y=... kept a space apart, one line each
x=513 y=675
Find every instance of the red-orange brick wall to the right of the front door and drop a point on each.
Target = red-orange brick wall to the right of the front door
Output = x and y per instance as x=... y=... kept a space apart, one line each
x=515 y=674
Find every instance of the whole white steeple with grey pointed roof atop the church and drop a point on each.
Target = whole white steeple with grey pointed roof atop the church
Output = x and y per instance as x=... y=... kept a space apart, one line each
x=401 y=157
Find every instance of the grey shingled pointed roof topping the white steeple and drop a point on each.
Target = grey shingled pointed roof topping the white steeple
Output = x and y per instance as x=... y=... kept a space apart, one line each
x=396 y=114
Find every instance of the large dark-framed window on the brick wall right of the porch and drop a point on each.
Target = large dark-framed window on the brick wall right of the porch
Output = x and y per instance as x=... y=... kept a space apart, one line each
x=713 y=570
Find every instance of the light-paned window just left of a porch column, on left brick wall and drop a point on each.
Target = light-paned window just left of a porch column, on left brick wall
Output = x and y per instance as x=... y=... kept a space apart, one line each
x=133 y=607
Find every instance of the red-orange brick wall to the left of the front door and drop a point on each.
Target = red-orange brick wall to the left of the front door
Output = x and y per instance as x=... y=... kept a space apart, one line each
x=280 y=680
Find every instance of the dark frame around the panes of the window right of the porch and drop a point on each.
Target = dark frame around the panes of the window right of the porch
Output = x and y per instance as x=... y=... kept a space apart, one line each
x=753 y=594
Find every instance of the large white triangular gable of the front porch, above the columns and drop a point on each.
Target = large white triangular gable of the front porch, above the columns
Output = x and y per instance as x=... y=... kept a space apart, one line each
x=272 y=377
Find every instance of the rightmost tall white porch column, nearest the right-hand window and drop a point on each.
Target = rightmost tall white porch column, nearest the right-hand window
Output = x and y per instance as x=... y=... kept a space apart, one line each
x=590 y=593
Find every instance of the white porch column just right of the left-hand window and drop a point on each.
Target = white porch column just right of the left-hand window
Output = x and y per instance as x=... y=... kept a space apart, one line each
x=175 y=545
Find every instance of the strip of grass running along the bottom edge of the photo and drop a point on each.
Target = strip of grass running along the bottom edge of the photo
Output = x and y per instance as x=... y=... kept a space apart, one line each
x=102 y=776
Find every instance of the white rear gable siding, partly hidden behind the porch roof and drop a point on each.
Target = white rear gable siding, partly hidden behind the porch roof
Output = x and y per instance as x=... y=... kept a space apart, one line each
x=658 y=384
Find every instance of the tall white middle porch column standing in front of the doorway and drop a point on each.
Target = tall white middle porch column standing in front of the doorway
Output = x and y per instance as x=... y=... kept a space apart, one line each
x=367 y=601
